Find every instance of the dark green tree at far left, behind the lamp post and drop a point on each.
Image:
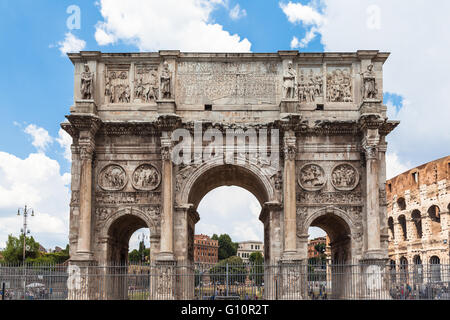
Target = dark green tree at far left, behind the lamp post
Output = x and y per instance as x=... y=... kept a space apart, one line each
x=13 y=252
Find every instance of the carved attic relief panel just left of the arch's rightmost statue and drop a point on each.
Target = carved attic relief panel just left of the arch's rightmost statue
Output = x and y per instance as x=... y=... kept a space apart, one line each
x=339 y=84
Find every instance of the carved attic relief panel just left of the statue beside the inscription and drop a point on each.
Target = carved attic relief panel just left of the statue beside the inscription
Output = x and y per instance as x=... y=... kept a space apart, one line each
x=146 y=88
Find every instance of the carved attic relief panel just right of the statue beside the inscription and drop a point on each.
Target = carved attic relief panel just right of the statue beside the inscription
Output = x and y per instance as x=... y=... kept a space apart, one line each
x=310 y=85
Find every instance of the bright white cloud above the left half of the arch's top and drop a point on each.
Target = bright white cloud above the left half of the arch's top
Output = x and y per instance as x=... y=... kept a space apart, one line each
x=170 y=24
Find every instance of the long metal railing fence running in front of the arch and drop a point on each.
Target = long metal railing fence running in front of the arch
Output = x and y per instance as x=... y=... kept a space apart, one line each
x=225 y=281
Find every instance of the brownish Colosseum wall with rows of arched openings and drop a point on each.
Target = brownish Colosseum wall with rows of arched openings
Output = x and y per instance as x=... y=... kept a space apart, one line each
x=418 y=218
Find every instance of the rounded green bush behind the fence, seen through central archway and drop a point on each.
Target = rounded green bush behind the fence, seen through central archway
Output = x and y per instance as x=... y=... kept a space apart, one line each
x=237 y=272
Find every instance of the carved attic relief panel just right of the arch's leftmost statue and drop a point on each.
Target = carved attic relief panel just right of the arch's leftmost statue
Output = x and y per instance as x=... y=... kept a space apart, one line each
x=117 y=84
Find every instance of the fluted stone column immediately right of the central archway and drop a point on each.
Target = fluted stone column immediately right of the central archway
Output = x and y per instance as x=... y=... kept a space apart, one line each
x=290 y=224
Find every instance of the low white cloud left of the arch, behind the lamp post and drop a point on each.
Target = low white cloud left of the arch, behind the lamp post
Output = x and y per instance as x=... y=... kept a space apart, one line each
x=37 y=182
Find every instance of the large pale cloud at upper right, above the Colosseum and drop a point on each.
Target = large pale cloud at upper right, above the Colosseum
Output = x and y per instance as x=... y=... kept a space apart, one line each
x=417 y=69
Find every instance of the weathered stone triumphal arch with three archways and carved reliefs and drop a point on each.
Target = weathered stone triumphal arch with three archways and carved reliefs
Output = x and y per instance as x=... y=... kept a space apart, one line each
x=154 y=132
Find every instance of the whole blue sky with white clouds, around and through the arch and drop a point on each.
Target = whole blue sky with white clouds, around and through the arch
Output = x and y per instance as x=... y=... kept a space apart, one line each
x=37 y=78
